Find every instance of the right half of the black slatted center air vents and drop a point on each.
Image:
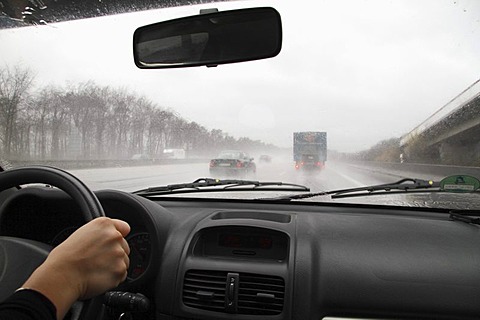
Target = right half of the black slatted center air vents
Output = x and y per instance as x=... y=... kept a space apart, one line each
x=260 y=295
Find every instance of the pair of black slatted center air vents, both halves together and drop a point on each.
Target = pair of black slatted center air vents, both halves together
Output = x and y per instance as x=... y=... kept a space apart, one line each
x=255 y=295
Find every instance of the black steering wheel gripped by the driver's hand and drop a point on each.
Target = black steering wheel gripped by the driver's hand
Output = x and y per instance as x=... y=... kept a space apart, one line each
x=20 y=257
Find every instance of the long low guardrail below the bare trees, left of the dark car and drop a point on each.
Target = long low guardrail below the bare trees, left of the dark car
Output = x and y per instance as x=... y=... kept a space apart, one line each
x=87 y=164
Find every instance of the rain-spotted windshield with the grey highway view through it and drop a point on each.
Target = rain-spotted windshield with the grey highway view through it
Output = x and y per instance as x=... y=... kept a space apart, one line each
x=362 y=93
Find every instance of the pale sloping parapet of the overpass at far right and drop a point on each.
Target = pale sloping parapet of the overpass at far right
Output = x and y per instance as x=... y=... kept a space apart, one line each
x=467 y=95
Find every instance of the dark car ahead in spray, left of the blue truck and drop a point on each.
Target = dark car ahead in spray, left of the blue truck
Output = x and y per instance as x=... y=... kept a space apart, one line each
x=233 y=163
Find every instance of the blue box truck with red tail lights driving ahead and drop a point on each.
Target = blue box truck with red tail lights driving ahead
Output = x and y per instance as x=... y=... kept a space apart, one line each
x=309 y=150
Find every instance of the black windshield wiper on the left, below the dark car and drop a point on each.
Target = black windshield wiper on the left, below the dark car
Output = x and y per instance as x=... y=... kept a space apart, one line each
x=215 y=185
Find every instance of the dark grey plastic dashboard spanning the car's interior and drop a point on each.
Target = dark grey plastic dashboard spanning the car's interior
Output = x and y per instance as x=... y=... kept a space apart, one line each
x=233 y=259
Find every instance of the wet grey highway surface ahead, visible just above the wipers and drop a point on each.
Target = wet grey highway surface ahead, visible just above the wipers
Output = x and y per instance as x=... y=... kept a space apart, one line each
x=334 y=176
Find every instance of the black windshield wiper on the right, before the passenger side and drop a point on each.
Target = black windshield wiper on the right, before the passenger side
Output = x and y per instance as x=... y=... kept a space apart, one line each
x=400 y=186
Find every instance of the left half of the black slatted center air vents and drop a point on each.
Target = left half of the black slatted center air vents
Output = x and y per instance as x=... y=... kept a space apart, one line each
x=205 y=290
